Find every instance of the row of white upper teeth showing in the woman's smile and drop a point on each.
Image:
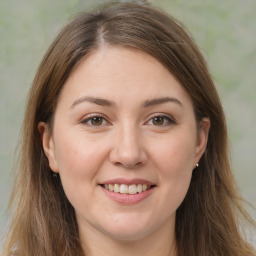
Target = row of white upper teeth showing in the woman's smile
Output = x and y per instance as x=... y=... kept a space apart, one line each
x=127 y=189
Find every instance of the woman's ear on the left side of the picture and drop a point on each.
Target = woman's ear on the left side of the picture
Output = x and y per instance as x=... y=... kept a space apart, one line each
x=48 y=145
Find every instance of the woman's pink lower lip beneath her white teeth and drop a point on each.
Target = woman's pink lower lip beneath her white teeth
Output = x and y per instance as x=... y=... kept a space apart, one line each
x=127 y=198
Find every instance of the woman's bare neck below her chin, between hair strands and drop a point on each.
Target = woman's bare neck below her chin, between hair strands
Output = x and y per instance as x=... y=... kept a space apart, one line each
x=161 y=242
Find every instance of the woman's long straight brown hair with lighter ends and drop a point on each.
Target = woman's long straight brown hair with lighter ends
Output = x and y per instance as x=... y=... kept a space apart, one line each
x=209 y=220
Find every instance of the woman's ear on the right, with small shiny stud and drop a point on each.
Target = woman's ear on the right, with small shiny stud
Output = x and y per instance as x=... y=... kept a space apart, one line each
x=202 y=138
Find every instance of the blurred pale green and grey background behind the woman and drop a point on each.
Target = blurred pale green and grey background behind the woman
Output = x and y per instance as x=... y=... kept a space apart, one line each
x=224 y=31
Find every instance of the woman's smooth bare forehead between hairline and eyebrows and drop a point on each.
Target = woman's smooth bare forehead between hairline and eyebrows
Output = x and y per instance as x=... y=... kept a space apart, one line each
x=121 y=74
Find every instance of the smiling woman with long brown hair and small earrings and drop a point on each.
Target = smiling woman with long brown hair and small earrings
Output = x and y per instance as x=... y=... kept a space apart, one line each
x=124 y=148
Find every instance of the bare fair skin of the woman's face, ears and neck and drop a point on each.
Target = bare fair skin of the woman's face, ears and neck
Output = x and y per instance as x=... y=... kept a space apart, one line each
x=125 y=143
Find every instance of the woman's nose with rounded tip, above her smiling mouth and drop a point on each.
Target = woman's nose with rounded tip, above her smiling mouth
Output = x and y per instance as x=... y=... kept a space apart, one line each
x=128 y=149
